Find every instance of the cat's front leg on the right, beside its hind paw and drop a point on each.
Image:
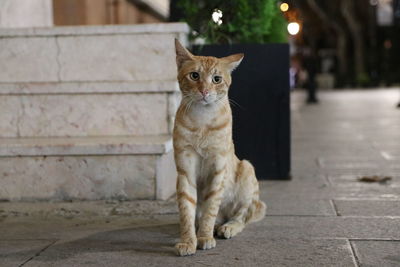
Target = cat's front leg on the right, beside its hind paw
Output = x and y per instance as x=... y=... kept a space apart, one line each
x=211 y=203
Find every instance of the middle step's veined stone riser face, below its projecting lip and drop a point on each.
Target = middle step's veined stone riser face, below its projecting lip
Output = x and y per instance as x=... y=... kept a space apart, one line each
x=84 y=115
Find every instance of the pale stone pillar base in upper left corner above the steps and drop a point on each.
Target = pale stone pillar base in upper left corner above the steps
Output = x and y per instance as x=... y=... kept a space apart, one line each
x=26 y=13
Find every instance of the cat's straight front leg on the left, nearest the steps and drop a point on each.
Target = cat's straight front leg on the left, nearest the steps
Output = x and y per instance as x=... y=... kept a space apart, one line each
x=187 y=162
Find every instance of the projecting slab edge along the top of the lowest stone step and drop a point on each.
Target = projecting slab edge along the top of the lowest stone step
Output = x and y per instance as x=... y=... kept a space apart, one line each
x=126 y=145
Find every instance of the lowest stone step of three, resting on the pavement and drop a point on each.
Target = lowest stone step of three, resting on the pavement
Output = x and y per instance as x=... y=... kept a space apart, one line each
x=87 y=168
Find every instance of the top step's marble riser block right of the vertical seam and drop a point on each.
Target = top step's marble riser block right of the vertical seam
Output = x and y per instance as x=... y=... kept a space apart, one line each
x=117 y=57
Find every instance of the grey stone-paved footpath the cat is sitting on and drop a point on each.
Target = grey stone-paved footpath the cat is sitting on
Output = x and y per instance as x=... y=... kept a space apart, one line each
x=323 y=217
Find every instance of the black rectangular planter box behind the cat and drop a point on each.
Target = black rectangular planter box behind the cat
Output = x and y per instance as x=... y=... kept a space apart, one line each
x=261 y=120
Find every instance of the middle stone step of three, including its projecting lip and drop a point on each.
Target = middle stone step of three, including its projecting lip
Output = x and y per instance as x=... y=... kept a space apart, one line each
x=98 y=109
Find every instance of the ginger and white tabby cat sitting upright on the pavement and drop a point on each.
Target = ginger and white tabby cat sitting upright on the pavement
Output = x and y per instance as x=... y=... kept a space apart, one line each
x=215 y=190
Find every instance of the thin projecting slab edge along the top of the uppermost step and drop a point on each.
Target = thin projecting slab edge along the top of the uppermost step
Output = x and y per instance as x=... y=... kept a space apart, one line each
x=97 y=30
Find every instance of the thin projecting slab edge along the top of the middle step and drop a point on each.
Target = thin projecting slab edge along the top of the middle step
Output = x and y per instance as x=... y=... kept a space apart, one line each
x=34 y=88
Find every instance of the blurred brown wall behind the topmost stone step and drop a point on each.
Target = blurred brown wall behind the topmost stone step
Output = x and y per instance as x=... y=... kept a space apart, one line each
x=100 y=12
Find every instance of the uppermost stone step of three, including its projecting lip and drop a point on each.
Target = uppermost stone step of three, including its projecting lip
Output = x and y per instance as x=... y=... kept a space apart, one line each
x=90 y=53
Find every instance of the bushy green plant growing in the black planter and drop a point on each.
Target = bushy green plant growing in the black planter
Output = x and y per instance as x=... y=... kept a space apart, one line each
x=242 y=21
